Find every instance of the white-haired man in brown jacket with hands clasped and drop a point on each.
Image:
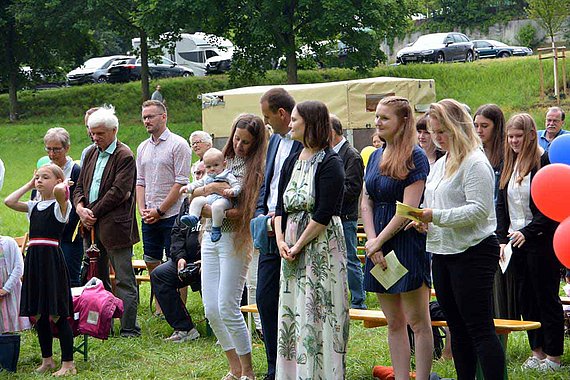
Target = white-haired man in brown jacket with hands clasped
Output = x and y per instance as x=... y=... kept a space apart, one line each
x=105 y=201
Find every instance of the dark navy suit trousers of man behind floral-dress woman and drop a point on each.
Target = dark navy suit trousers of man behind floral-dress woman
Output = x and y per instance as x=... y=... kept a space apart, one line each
x=267 y=298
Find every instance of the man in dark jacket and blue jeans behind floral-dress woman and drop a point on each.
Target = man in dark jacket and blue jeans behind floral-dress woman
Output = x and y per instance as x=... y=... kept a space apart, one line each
x=354 y=176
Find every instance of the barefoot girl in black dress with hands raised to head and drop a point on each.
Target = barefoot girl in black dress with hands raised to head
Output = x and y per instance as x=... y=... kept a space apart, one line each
x=46 y=294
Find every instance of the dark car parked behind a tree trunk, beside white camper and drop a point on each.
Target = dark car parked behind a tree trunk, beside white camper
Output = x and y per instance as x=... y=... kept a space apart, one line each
x=130 y=70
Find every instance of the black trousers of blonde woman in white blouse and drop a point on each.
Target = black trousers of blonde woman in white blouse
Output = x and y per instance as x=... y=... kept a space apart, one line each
x=464 y=286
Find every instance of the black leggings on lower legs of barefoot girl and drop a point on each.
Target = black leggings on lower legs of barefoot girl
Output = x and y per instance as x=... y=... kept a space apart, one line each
x=45 y=337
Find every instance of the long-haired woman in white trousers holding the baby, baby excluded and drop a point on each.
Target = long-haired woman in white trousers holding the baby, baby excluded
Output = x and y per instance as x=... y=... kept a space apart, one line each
x=226 y=261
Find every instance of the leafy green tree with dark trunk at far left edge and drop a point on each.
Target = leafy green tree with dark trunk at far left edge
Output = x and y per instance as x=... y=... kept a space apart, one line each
x=38 y=34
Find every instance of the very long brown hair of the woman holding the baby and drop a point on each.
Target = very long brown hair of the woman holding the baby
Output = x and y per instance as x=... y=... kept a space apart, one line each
x=253 y=178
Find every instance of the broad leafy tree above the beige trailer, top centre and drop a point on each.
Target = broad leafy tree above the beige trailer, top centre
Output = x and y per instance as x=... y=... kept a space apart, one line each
x=265 y=30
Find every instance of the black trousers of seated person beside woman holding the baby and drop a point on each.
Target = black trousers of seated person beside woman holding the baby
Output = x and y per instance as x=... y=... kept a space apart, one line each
x=166 y=284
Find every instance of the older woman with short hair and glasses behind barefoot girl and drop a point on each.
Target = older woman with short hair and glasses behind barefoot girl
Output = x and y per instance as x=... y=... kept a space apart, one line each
x=57 y=144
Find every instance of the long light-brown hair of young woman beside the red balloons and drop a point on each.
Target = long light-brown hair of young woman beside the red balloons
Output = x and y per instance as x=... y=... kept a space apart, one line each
x=529 y=156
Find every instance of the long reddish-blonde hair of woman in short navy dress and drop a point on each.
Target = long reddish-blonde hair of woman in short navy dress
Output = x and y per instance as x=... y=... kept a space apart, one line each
x=397 y=161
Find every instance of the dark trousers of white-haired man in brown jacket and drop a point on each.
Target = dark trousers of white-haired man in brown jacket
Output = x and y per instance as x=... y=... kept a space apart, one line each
x=125 y=282
